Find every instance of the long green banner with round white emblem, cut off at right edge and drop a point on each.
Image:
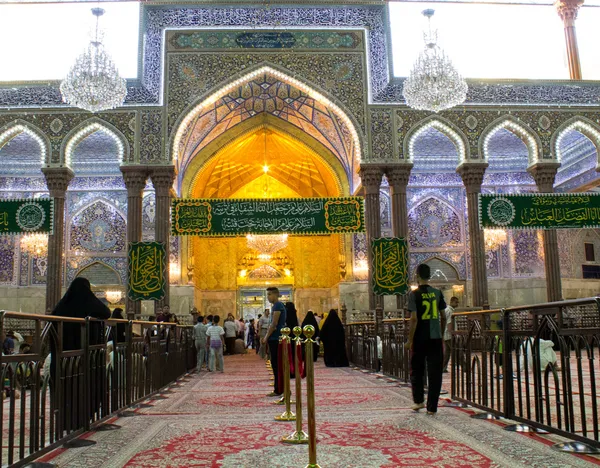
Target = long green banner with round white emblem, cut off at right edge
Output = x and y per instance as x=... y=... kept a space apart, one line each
x=539 y=211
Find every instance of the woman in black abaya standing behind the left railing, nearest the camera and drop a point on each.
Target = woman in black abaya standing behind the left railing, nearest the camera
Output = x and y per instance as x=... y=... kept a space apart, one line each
x=78 y=302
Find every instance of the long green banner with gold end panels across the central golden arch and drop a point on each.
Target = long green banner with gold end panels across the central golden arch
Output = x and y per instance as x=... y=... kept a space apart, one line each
x=294 y=216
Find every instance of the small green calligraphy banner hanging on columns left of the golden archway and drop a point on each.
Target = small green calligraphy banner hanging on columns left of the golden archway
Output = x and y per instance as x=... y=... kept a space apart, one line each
x=147 y=271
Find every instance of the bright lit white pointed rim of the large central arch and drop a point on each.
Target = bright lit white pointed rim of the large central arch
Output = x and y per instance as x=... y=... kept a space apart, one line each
x=186 y=119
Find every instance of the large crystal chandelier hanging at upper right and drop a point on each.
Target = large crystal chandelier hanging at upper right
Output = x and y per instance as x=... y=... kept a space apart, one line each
x=434 y=84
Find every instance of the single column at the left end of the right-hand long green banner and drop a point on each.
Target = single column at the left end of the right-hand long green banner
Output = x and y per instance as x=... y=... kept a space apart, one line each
x=472 y=176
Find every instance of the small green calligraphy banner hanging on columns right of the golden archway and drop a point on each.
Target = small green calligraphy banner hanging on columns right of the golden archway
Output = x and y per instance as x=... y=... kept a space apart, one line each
x=390 y=266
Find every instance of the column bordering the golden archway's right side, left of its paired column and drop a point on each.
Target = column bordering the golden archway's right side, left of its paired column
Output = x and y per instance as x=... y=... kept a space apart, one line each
x=371 y=175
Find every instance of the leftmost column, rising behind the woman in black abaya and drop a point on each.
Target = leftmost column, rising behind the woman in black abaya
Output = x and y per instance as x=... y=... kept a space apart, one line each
x=57 y=180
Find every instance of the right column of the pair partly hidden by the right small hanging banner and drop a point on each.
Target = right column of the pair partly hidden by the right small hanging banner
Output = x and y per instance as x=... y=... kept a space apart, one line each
x=397 y=176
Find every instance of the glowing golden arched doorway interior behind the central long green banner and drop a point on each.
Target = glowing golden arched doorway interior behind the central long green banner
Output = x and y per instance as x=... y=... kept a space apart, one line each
x=264 y=157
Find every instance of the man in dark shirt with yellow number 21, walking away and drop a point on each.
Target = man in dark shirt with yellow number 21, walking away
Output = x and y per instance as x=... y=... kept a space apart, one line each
x=426 y=306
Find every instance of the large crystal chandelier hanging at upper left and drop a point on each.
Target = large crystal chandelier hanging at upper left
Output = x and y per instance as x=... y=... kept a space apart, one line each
x=94 y=83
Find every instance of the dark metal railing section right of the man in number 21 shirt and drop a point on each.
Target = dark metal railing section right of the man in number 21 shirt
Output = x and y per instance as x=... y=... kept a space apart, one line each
x=534 y=364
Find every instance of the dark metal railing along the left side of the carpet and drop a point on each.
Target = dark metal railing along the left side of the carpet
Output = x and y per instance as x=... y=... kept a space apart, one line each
x=53 y=394
